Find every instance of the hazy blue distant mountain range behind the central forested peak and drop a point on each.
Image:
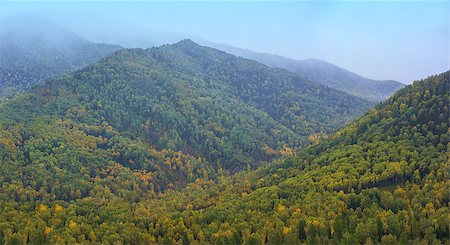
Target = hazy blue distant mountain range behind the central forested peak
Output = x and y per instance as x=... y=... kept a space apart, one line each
x=34 y=50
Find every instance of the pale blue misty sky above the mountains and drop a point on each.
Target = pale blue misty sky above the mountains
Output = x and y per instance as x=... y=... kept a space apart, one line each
x=400 y=40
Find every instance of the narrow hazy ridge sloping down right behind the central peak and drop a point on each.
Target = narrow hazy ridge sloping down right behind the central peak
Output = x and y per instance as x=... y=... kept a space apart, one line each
x=321 y=72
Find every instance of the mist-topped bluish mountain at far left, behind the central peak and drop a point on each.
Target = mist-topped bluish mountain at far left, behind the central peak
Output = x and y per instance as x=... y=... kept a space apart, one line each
x=34 y=50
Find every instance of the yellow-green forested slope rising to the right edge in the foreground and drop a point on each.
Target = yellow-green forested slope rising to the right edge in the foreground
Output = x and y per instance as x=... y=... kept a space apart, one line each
x=382 y=179
